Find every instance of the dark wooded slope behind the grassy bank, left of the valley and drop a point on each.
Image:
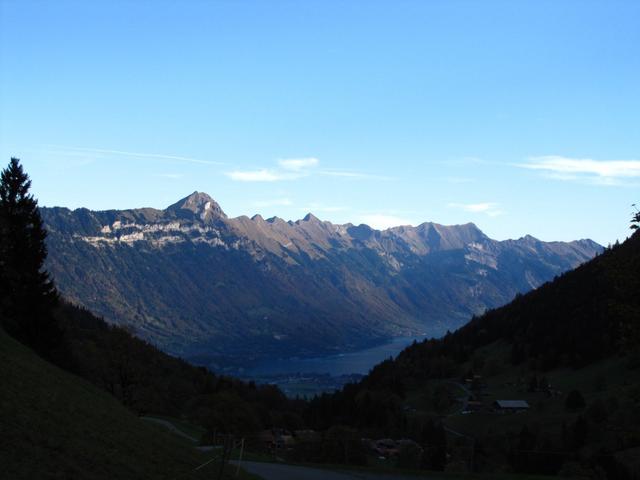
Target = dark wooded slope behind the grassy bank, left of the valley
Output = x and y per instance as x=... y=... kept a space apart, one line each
x=151 y=382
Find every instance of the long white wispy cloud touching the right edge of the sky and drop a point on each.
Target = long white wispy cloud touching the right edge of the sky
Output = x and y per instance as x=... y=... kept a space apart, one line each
x=601 y=172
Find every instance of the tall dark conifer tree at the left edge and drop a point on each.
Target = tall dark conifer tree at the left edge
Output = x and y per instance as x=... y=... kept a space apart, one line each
x=27 y=294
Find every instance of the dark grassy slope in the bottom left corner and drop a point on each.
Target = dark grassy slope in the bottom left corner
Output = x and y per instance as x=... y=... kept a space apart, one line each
x=56 y=425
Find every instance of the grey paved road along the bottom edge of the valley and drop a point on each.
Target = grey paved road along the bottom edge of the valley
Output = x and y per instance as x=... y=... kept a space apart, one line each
x=278 y=471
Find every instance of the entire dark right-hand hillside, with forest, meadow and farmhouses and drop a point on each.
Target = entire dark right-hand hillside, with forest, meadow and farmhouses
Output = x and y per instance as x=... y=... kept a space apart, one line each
x=570 y=349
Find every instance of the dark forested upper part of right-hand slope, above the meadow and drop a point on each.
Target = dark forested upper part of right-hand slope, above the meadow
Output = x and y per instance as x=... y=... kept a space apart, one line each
x=585 y=315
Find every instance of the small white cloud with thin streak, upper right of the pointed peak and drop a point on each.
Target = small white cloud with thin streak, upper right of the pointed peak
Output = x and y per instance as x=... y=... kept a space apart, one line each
x=296 y=168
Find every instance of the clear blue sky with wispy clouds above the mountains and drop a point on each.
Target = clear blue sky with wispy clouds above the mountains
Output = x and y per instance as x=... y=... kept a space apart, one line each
x=522 y=117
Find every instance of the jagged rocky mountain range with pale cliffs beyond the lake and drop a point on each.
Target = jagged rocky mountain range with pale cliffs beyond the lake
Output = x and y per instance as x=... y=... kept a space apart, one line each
x=194 y=281
